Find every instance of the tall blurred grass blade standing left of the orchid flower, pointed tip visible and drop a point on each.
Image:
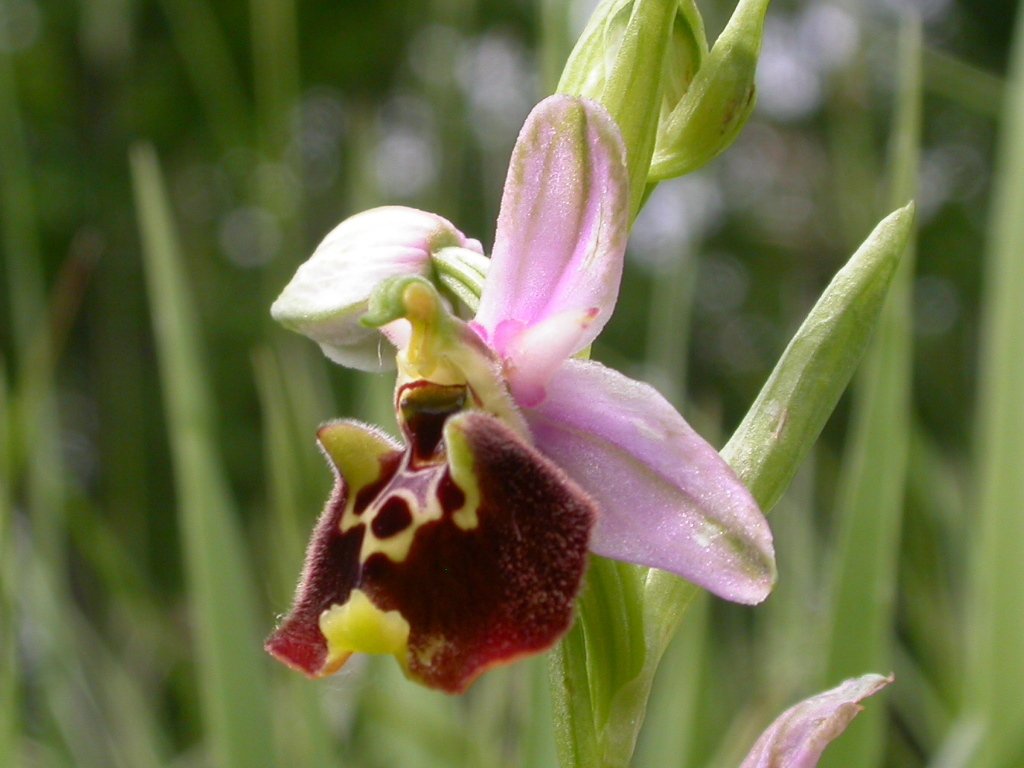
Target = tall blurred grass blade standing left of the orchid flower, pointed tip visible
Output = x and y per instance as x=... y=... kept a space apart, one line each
x=230 y=665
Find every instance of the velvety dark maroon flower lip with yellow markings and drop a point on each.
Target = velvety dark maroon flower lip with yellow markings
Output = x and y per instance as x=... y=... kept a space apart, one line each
x=489 y=575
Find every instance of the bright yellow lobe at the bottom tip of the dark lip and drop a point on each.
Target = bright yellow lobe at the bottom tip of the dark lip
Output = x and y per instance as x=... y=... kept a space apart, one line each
x=359 y=626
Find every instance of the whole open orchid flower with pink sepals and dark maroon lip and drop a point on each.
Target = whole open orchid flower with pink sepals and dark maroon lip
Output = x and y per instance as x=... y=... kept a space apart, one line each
x=465 y=546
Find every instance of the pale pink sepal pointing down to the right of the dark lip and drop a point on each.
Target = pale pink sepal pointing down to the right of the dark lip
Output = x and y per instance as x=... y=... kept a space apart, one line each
x=667 y=498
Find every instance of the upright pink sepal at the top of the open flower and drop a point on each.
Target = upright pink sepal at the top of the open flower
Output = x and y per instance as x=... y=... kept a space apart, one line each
x=564 y=222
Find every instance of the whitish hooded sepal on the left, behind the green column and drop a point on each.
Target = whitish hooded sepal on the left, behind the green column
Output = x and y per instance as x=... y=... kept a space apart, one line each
x=330 y=292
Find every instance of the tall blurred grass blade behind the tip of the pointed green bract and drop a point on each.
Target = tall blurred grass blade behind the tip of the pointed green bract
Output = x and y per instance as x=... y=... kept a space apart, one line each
x=873 y=484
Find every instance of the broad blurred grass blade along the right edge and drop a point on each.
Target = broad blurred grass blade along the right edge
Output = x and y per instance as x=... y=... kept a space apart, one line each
x=996 y=668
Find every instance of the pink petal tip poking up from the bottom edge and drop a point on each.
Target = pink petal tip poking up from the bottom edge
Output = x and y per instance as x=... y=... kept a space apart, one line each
x=800 y=735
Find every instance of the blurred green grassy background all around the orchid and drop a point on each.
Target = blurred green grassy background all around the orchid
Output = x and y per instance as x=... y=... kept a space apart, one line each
x=147 y=544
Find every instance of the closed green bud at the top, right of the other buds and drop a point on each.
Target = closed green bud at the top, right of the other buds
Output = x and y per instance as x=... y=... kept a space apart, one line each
x=716 y=105
